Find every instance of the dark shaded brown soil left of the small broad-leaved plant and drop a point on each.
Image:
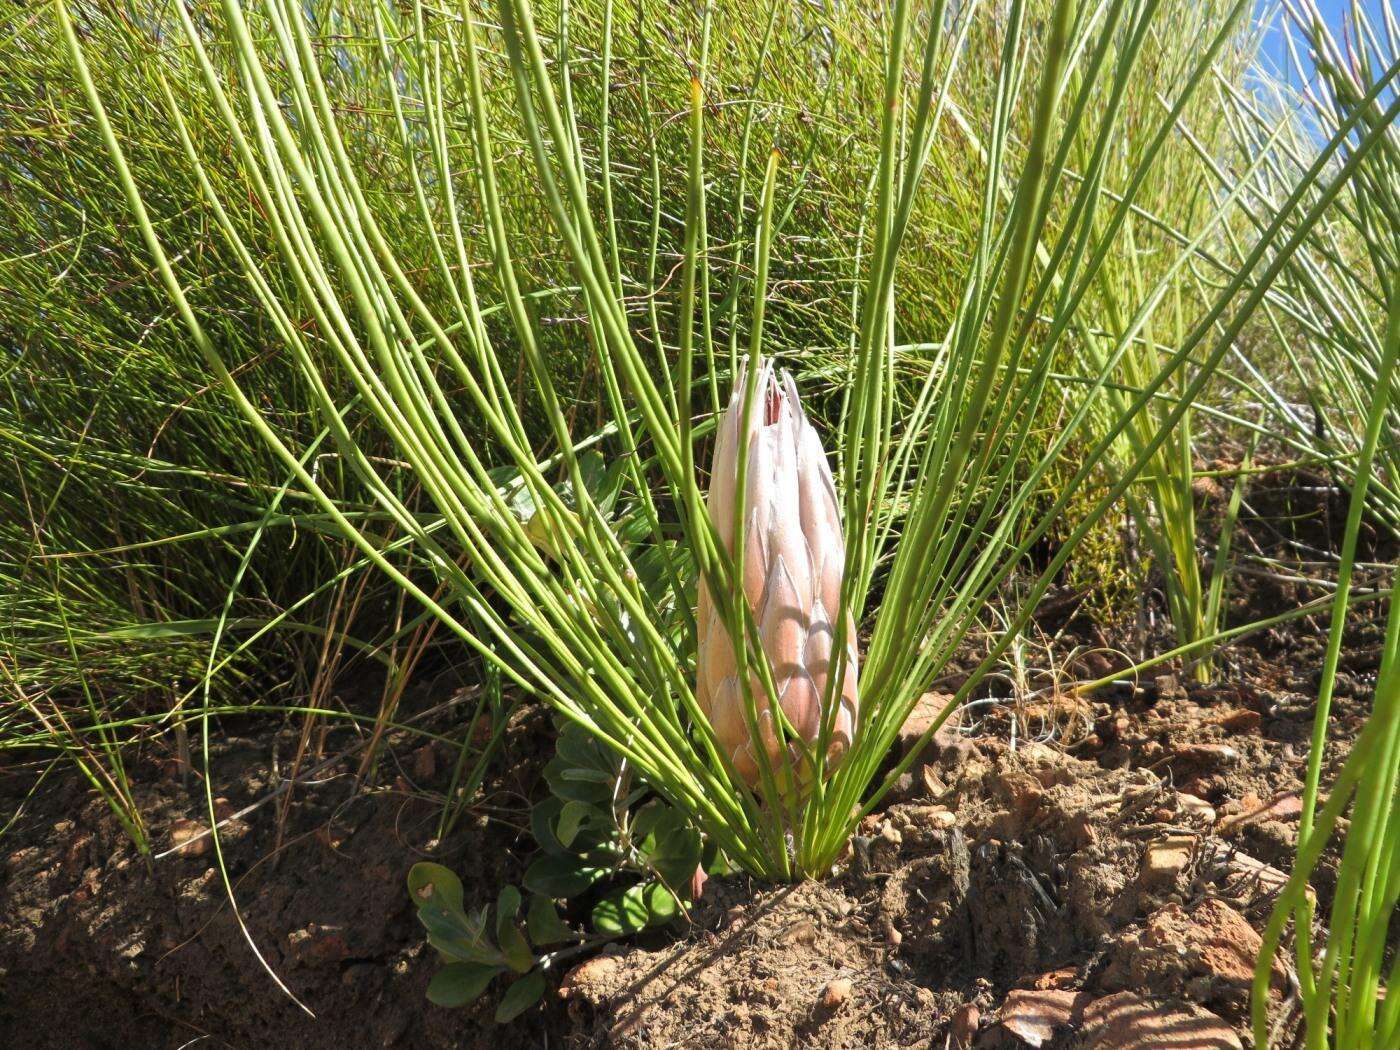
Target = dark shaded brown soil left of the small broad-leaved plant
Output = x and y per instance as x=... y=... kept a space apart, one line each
x=100 y=948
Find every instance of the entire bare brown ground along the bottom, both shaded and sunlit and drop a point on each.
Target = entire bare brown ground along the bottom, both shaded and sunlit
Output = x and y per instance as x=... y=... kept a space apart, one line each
x=1063 y=873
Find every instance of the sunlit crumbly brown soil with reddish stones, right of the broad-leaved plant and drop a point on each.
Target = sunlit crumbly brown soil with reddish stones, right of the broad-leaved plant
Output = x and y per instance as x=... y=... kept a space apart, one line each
x=1017 y=898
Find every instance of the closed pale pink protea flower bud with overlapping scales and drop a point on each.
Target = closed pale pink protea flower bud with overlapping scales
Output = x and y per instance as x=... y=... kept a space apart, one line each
x=793 y=562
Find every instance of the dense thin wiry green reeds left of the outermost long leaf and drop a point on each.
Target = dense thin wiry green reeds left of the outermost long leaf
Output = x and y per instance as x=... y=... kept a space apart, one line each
x=134 y=491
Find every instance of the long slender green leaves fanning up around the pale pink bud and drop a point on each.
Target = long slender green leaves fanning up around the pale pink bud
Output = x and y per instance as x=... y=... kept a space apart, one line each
x=590 y=608
